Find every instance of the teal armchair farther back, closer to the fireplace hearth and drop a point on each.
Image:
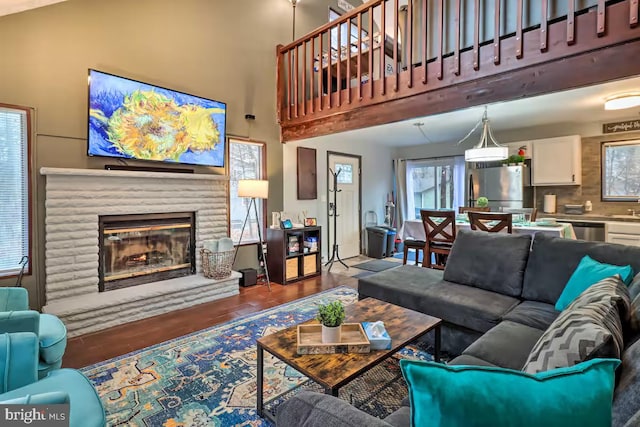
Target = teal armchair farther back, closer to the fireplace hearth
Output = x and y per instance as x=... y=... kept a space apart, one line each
x=15 y=316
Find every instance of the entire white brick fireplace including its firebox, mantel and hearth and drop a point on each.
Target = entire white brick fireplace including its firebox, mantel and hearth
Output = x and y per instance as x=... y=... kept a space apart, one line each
x=78 y=201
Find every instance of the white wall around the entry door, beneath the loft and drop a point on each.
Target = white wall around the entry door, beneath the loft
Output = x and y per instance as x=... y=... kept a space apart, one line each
x=376 y=179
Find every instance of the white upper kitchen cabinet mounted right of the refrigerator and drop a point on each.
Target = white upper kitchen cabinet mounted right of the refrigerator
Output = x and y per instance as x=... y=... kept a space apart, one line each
x=557 y=161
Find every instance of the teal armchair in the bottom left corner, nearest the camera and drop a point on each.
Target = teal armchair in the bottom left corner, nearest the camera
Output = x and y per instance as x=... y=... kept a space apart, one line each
x=19 y=382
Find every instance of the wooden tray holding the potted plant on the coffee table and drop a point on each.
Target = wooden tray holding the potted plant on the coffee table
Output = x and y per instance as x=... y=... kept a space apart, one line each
x=353 y=340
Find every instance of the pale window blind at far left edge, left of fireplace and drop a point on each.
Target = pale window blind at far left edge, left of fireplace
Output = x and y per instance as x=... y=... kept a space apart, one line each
x=14 y=189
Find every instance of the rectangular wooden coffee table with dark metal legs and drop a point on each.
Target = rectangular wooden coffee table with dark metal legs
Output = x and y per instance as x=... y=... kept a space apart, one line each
x=333 y=371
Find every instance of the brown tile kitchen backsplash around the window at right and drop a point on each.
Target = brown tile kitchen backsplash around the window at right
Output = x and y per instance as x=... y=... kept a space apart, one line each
x=591 y=179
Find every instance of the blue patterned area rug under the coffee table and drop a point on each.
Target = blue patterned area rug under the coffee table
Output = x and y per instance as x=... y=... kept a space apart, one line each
x=208 y=378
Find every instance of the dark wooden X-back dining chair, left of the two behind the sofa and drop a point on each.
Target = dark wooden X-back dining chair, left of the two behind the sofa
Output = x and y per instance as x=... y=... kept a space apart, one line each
x=440 y=232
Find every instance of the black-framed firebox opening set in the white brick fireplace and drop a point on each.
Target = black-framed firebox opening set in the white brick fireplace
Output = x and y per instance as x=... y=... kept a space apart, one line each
x=137 y=249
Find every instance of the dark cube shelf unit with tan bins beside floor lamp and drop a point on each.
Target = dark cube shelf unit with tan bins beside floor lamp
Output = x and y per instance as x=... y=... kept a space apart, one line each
x=286 y=256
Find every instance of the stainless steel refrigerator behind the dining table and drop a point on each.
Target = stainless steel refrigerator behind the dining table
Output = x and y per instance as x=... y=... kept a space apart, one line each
x=504 y=186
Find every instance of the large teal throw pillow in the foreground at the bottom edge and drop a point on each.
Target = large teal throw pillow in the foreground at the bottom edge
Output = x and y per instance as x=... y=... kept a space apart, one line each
x=482 y=396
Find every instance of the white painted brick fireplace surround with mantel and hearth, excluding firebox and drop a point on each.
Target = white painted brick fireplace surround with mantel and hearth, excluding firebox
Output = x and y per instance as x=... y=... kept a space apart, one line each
x=74 y=200
